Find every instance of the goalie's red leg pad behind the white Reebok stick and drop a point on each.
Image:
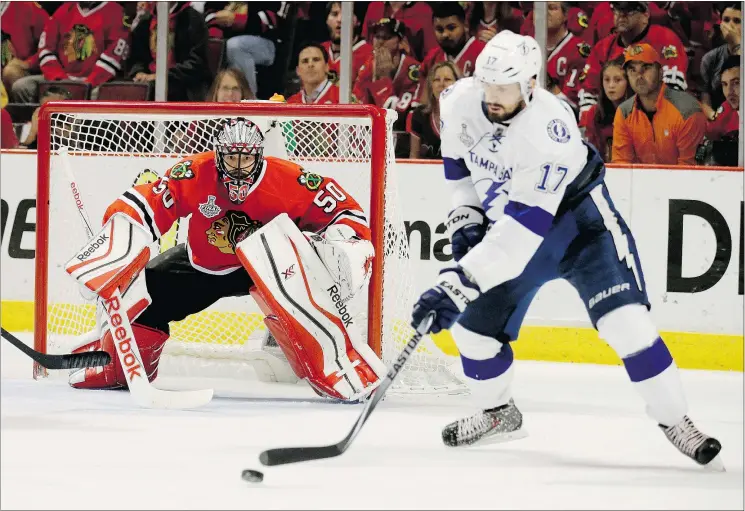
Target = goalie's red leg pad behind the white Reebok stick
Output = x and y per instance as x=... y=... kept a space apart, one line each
x=150 y=342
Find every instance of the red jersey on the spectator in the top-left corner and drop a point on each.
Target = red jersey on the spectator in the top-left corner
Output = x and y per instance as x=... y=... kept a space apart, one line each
x=22 y=24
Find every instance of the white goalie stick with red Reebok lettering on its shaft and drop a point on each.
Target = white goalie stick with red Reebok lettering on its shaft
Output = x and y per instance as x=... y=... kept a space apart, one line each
x=143 y=393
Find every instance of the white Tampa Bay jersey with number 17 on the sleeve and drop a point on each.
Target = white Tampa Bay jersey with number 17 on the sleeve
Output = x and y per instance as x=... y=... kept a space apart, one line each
x=517 y=172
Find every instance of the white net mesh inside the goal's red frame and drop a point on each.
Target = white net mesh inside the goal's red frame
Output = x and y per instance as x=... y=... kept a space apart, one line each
x=111 y=151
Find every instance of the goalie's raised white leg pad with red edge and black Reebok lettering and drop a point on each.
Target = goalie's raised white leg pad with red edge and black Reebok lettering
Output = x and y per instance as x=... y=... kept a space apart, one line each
x=292 y=287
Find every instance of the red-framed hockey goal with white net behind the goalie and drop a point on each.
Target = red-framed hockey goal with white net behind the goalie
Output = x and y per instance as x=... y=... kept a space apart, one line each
x=113 y=145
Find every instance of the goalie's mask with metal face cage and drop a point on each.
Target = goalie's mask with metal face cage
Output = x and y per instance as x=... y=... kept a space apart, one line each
x=239 y=156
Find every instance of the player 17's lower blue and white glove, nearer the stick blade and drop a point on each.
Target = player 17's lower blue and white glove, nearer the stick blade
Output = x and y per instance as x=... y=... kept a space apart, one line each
x=447 y=299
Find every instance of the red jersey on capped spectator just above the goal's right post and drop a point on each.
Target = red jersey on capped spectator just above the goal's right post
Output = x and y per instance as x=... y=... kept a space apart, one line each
x=397 y=93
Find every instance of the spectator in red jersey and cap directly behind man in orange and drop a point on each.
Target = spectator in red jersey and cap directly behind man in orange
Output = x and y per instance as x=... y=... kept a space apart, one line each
x=632 y=26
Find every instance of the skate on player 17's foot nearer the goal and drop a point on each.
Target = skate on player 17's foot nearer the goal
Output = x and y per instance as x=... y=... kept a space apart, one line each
x=495 y=425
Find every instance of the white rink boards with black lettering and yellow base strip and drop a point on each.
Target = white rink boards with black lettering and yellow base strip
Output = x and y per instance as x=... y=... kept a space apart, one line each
x=688 y=225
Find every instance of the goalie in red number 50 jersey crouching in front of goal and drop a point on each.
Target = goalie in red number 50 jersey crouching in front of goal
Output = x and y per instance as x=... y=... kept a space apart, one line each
x=297 y=242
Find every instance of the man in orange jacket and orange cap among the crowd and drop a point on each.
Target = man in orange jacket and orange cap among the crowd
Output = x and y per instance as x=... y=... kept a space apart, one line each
x=657 y=124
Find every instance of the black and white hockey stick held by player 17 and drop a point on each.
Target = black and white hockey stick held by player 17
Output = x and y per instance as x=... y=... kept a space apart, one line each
x=285 y=455
